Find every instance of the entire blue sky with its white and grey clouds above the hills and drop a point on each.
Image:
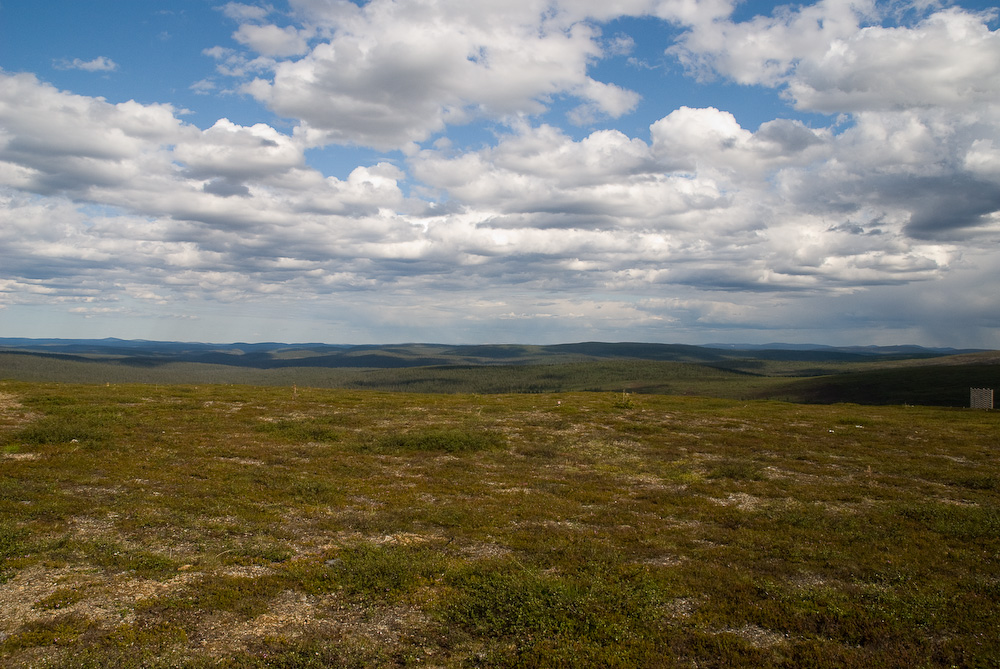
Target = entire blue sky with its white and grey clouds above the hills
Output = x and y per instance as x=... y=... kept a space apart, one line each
x=501 y=171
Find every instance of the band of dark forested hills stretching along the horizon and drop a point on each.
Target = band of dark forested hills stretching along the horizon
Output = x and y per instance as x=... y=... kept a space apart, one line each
x=797 y=373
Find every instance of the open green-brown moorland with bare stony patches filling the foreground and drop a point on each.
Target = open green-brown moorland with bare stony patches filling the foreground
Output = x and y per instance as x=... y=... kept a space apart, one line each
x=209 y=525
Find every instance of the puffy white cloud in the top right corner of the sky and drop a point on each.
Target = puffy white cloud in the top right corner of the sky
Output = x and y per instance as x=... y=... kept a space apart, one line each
x=828 y=59
